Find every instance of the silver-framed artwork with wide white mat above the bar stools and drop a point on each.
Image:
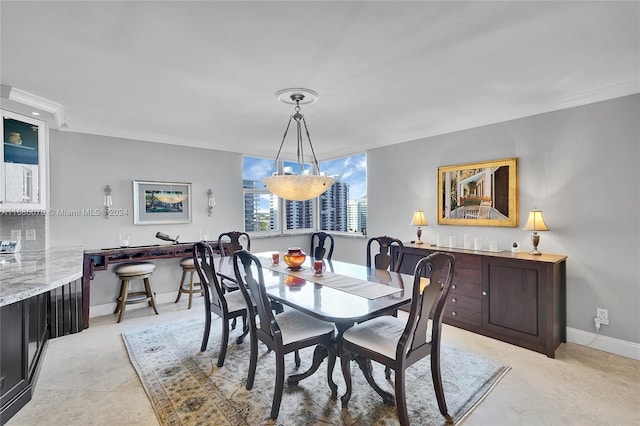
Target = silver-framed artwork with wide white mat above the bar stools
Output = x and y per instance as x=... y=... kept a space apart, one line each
x=161 y=202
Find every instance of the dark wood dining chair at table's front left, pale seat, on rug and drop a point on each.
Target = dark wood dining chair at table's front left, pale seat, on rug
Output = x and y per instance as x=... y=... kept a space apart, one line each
x=282 y=333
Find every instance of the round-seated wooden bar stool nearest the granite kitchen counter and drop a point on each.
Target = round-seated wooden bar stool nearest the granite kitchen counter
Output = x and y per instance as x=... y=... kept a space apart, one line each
x=128 y=272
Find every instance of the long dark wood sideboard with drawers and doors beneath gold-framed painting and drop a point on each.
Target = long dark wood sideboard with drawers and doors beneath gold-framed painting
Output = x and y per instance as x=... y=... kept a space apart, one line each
x=514 y=297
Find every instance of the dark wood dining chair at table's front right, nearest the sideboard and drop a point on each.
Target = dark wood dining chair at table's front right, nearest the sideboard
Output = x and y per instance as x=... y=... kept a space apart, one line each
x=397 y=343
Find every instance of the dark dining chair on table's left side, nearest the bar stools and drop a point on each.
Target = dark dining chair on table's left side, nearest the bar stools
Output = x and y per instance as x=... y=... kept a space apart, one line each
x=227 y=306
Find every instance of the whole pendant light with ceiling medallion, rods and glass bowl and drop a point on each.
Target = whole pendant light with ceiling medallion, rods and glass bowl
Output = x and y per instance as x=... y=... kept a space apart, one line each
x=305 y=185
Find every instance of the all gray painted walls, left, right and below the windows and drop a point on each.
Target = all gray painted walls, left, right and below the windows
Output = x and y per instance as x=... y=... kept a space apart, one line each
x=578 y=165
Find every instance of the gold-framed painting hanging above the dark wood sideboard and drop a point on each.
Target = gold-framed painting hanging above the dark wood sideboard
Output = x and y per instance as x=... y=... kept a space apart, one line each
x=479 y=194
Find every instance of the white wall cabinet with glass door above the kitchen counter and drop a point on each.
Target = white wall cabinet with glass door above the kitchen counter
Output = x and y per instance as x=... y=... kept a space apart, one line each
x=23 y=168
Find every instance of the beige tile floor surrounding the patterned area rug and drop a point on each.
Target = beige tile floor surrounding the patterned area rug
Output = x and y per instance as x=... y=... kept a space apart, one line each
x=87 y=379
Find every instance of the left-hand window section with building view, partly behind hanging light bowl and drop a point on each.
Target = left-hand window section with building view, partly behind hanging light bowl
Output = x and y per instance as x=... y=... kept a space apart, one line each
x=261 y=208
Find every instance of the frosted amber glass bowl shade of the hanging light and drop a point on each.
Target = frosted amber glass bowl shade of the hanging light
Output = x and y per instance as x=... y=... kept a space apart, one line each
x=298 y=187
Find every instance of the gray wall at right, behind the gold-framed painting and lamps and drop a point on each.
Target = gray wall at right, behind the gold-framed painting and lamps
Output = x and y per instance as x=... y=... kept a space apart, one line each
x=579 y=166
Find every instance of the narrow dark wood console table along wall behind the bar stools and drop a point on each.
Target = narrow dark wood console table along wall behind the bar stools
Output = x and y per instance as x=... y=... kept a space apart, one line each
x=100 y=259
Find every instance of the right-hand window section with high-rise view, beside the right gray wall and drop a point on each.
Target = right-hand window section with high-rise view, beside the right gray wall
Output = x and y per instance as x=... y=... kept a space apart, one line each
x=343 y=207
